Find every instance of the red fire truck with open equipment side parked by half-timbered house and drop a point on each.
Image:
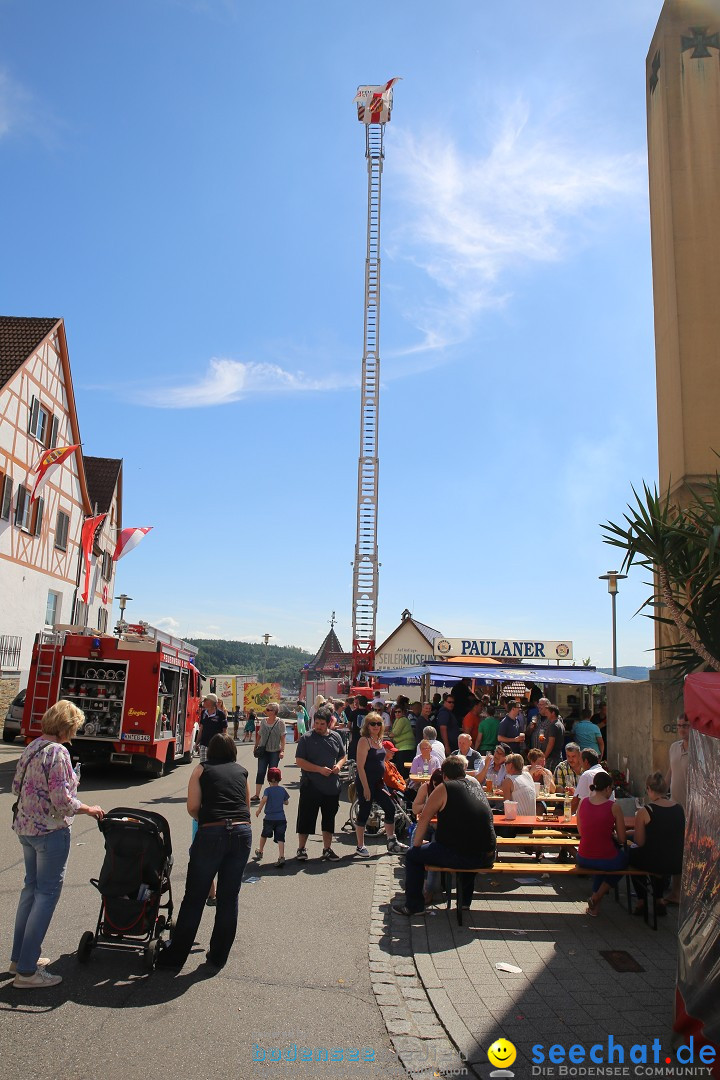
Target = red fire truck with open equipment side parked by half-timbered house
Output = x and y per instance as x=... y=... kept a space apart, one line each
x=140 y=693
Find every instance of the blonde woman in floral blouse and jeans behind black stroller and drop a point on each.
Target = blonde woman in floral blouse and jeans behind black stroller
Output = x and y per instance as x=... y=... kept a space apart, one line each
x=46 y=789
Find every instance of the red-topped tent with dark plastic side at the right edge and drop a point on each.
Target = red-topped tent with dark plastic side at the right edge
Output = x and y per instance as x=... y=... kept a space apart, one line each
x=698 y=996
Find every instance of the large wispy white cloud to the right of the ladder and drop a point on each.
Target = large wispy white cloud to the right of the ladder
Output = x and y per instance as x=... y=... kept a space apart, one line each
x=533 y=197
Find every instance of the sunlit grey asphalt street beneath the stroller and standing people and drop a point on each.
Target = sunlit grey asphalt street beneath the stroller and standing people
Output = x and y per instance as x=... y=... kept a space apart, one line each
x=297 y=977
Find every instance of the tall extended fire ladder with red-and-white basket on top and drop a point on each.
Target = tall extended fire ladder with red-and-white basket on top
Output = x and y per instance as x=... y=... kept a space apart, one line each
x=374 y=110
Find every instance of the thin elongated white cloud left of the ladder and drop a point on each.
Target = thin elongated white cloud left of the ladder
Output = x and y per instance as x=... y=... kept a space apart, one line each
x=230 y=381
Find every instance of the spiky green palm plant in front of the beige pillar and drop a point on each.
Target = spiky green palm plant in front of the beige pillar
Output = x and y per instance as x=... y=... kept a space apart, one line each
x=681 y=546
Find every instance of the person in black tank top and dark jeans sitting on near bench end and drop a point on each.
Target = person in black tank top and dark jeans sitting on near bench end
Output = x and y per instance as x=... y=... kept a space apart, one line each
x=465 y=838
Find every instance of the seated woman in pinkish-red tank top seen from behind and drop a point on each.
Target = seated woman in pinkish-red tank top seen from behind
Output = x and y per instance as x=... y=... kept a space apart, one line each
x=602 y=829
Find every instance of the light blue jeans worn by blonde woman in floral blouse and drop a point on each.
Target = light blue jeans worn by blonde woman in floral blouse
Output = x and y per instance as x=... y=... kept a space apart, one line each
x=46 y=860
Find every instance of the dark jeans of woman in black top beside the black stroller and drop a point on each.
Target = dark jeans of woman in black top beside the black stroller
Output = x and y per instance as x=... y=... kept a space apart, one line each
x=221 y=852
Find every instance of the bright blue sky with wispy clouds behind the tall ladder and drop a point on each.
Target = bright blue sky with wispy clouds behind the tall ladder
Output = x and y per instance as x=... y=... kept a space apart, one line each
x=185 y=183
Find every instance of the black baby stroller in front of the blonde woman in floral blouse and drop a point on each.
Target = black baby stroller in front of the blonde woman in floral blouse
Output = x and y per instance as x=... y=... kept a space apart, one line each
x=134 y=879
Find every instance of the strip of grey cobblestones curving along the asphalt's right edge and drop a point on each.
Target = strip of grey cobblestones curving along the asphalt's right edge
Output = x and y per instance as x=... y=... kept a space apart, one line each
x=420 y=1035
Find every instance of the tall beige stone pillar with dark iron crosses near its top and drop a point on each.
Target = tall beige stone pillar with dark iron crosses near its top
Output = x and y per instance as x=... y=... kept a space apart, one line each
x=684 y=147
